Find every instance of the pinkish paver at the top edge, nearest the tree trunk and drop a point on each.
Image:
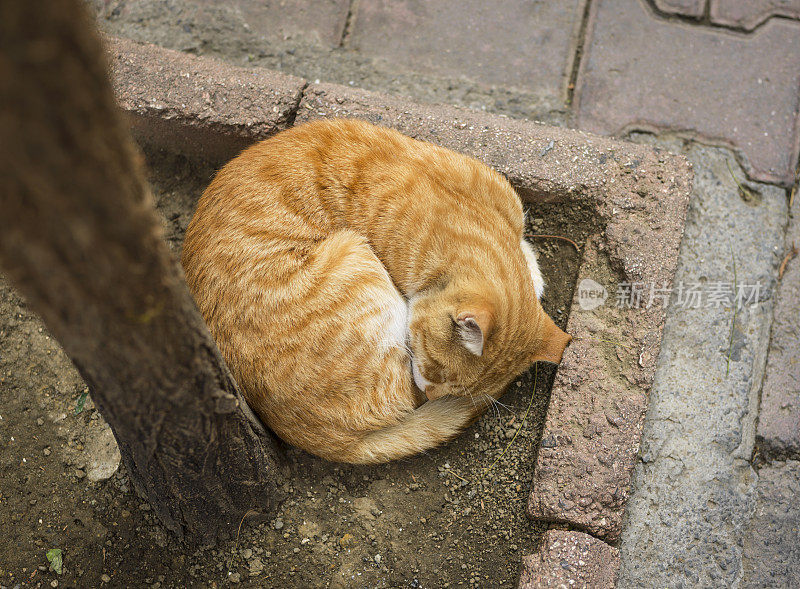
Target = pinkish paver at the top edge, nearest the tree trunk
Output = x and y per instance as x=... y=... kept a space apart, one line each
x=184 y=24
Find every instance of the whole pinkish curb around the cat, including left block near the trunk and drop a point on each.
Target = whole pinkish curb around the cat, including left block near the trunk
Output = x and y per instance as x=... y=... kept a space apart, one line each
x=637 y=195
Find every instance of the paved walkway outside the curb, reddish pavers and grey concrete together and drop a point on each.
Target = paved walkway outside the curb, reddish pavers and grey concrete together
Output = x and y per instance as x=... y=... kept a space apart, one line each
x=715 y=494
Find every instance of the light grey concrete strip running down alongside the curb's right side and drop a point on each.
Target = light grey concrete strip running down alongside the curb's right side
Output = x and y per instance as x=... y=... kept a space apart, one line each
x=694 y=488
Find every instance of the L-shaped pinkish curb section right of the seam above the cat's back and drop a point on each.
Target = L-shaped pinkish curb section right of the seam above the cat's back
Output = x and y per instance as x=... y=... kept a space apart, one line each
x=594 y=420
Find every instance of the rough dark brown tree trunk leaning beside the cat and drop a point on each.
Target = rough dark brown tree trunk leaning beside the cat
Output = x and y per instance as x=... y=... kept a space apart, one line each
x=79 y=236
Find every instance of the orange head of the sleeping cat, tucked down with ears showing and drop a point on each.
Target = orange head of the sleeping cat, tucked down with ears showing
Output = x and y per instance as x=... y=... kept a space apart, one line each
x=468 y=344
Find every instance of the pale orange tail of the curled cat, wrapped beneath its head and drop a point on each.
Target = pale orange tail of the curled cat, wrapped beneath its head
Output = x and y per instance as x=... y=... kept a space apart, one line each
x=428 y=426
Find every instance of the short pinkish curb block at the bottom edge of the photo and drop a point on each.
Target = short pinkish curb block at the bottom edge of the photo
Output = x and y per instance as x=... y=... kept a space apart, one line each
x=570 y=559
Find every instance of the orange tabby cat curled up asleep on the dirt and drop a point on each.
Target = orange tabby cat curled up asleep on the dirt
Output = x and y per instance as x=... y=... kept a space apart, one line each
x=371 y=293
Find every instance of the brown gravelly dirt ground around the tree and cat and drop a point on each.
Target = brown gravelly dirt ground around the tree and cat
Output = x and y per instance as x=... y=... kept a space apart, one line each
x=454 y=517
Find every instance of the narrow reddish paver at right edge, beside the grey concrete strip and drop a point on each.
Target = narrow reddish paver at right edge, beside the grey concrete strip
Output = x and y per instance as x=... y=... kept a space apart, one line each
x=778 y=433
